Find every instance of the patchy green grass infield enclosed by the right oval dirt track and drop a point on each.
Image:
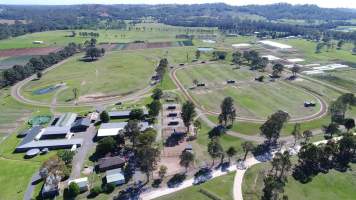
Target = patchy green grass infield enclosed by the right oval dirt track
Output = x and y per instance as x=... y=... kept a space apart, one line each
x=253 y=99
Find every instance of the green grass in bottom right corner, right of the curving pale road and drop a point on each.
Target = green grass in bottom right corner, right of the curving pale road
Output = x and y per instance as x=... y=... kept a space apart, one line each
x=330 y=186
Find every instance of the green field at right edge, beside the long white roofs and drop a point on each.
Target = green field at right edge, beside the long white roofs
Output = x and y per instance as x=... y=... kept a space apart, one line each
x=307 y=49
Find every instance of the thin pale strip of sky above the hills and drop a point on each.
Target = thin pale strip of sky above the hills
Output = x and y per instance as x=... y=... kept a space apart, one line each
x=321 y=3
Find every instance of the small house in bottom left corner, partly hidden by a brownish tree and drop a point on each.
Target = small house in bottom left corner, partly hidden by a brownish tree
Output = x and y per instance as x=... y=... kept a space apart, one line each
x=50 y=188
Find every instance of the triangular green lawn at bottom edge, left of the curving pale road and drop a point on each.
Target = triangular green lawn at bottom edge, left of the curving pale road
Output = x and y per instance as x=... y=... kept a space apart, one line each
x=220 y=186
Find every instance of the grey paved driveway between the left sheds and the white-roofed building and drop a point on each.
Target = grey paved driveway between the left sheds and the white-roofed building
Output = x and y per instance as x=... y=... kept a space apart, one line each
x=79 y=158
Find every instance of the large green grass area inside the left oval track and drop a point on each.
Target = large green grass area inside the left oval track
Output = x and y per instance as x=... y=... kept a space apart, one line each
x=117 y=73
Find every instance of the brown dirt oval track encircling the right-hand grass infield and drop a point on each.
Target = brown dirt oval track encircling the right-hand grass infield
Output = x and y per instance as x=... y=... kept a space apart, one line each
x=322 y=111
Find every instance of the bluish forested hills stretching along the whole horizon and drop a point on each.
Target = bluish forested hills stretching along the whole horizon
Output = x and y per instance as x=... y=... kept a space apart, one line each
x=271 y=12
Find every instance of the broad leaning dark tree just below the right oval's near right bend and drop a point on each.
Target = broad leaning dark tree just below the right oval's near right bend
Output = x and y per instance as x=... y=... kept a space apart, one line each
x=272 y=127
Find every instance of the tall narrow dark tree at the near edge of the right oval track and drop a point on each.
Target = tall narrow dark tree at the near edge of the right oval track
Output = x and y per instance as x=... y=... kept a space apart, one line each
x=228 y=111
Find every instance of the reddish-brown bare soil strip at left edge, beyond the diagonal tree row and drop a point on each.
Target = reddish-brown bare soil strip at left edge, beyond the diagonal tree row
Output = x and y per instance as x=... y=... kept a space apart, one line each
x=28 y=51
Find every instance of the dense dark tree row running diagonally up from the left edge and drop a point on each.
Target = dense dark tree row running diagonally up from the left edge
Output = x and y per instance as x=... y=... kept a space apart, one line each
x=36 y=64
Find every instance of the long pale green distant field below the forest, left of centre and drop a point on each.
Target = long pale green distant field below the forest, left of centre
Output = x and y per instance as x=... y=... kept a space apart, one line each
x=145 y=32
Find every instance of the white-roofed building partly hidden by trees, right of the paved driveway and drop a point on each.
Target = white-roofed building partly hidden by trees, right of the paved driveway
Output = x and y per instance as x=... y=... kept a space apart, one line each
x=112 y=129
